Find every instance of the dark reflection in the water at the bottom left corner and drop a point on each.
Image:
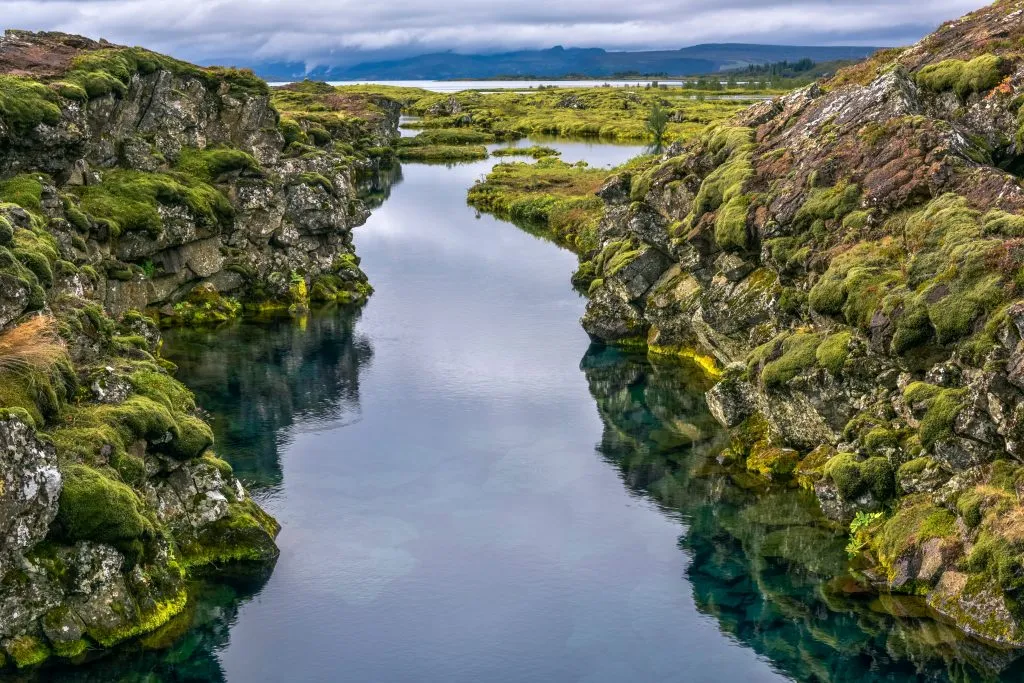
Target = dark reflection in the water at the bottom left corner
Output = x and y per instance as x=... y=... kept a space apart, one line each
x=185 y=650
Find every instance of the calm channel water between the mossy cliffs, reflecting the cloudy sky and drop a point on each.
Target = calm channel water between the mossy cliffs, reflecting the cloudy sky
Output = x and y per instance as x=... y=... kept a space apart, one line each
x=470 y=492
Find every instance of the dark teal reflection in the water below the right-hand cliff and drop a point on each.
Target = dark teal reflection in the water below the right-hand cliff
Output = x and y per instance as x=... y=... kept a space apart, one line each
x=765 y=564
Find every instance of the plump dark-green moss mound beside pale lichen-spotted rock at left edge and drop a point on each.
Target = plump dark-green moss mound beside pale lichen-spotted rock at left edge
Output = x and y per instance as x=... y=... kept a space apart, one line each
x=95 y=507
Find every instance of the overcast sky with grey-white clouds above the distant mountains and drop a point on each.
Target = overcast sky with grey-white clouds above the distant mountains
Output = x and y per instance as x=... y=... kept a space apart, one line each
x=316 y=31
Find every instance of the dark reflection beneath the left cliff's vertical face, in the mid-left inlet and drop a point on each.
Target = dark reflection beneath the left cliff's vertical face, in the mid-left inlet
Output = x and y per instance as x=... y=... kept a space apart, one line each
x=259 y=379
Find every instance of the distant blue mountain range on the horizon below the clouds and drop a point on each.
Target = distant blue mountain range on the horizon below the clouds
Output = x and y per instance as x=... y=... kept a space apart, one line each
x=562 y=63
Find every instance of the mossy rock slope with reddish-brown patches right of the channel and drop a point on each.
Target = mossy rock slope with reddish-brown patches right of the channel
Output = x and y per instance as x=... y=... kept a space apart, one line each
x=852 y=258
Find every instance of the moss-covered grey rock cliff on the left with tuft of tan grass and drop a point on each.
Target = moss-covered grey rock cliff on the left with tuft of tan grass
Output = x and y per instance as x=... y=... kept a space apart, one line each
x=136 y=191
